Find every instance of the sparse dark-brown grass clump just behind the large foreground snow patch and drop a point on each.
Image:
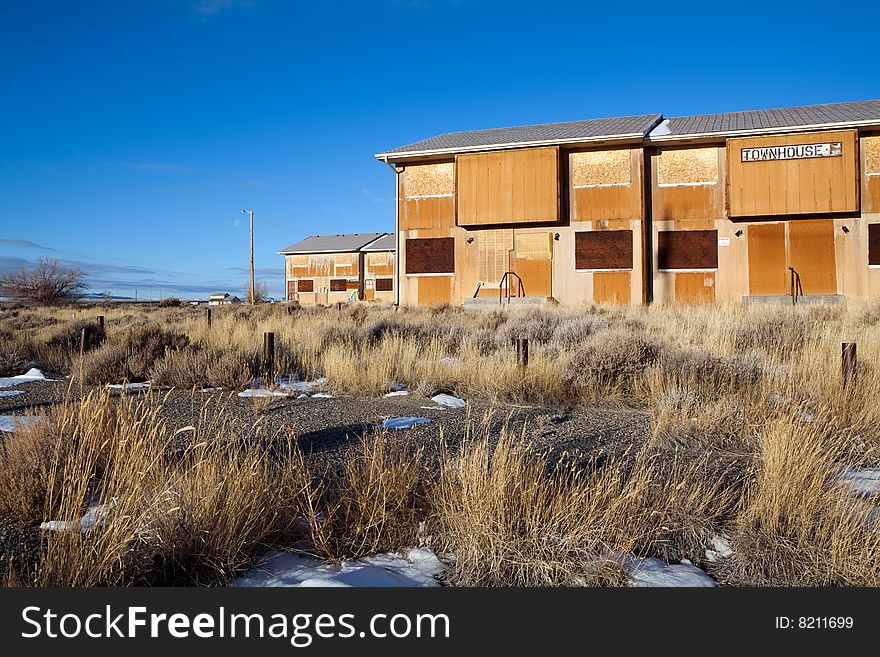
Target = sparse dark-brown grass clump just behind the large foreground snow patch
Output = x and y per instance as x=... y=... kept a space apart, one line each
x=373 y=506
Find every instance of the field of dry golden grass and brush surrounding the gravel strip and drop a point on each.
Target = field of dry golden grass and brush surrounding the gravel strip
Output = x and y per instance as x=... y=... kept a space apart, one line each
x=749 y=423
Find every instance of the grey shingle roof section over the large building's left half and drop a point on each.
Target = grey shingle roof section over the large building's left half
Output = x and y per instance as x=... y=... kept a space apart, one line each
x=530 y=134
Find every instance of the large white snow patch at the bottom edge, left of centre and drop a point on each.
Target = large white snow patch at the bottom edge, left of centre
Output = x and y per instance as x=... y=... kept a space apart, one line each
x=416 y=568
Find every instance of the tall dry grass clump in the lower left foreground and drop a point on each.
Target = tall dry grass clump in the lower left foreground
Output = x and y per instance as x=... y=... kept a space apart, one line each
x=151 y=513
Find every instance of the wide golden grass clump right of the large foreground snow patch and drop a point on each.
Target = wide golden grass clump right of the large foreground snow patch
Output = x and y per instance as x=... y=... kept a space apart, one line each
x=510 y=519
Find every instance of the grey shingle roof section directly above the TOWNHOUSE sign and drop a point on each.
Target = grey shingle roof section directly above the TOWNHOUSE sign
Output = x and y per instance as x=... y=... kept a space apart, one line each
x=786 y=117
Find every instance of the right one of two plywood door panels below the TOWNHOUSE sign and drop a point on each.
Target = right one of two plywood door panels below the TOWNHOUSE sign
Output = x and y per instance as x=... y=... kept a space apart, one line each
x=811 y=253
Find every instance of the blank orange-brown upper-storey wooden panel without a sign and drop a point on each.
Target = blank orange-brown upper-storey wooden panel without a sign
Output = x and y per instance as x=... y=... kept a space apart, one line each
x=504 y=187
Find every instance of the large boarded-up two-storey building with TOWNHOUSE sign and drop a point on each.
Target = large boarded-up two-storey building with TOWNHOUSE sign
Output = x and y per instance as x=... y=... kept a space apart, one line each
x=742 y=206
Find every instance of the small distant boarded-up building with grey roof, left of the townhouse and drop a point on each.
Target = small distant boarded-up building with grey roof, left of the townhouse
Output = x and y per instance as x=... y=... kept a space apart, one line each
x=326 y=269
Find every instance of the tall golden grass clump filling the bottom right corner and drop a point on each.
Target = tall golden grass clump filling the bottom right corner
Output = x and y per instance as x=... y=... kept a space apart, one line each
x=800 y=526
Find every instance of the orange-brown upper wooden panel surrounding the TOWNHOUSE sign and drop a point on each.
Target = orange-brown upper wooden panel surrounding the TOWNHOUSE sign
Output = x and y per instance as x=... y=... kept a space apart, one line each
x=793 y=186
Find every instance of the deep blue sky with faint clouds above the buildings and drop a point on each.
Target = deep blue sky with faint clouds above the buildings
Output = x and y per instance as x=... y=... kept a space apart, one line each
x=132 y=133
